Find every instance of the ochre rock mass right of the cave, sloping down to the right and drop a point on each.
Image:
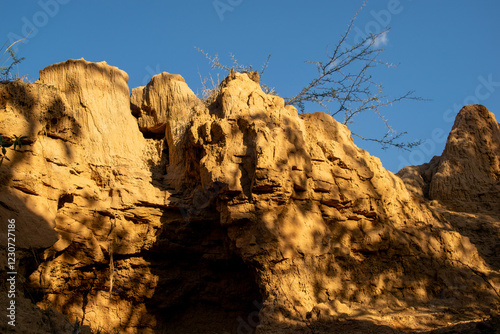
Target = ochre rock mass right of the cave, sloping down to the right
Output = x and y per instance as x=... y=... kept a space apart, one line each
x=321 y=220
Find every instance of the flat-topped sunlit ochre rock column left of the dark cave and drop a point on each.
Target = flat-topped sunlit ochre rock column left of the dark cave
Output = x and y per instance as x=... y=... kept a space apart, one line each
x=78 y=191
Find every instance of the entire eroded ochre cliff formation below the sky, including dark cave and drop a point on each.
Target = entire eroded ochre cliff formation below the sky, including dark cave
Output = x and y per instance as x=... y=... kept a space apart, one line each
x=154 y=213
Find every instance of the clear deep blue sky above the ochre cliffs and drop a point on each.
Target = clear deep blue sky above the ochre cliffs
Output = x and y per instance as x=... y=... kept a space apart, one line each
x=448 y=50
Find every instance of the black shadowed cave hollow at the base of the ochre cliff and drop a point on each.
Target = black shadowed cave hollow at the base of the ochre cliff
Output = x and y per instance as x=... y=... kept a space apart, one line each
x=203 y=285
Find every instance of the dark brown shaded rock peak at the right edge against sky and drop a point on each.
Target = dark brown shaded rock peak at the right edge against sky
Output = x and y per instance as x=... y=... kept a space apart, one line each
x=467 y=175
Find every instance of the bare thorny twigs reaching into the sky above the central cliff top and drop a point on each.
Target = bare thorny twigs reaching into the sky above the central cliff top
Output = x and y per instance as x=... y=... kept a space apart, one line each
x=343 y=86
